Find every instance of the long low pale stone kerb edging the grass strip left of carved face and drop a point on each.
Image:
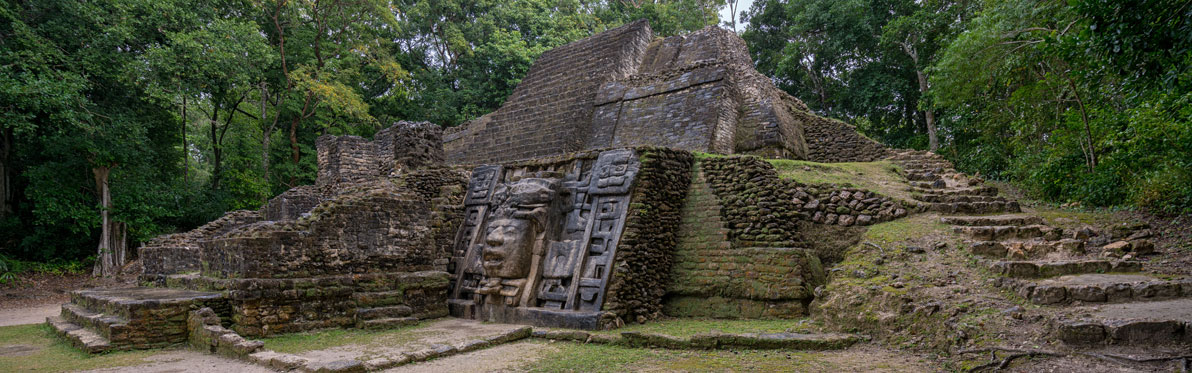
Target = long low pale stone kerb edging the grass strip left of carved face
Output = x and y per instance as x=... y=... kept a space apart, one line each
x=294 y=363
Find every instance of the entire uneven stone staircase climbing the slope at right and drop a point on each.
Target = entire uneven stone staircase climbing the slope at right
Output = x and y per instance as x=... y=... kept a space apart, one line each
x=1091 y=289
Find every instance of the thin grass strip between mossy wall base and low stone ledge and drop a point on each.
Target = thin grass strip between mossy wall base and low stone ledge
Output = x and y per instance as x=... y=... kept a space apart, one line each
x=688 y=327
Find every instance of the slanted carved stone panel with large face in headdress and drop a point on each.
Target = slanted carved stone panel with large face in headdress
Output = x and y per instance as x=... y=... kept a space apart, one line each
x=542 y=241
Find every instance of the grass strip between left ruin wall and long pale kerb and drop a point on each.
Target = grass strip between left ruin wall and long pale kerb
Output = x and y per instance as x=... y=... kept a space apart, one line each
x=307 y=341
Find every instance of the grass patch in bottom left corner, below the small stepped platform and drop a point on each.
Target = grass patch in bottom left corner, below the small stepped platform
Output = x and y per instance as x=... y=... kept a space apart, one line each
x=52 y=355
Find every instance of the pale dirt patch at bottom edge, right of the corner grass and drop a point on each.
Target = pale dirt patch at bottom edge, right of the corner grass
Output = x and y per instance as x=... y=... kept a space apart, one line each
x=185 y=360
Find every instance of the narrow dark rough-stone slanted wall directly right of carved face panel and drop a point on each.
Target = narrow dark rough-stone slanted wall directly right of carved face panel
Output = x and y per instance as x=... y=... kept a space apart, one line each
x=647 y=251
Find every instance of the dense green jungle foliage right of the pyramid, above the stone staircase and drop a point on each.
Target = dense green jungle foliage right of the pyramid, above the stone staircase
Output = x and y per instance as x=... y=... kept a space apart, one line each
x=1076 y=101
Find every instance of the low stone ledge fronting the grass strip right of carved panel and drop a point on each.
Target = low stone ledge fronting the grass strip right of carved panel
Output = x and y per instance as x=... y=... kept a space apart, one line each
x=710 y=340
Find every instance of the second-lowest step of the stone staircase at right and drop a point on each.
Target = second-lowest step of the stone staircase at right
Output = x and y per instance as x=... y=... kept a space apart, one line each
x=1100 y=289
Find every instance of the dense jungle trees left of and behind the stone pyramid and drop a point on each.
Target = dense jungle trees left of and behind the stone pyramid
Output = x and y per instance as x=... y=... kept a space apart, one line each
x=184 y=110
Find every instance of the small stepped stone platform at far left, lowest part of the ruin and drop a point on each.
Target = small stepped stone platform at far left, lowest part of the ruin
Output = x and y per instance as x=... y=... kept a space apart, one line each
x=98 y=321
